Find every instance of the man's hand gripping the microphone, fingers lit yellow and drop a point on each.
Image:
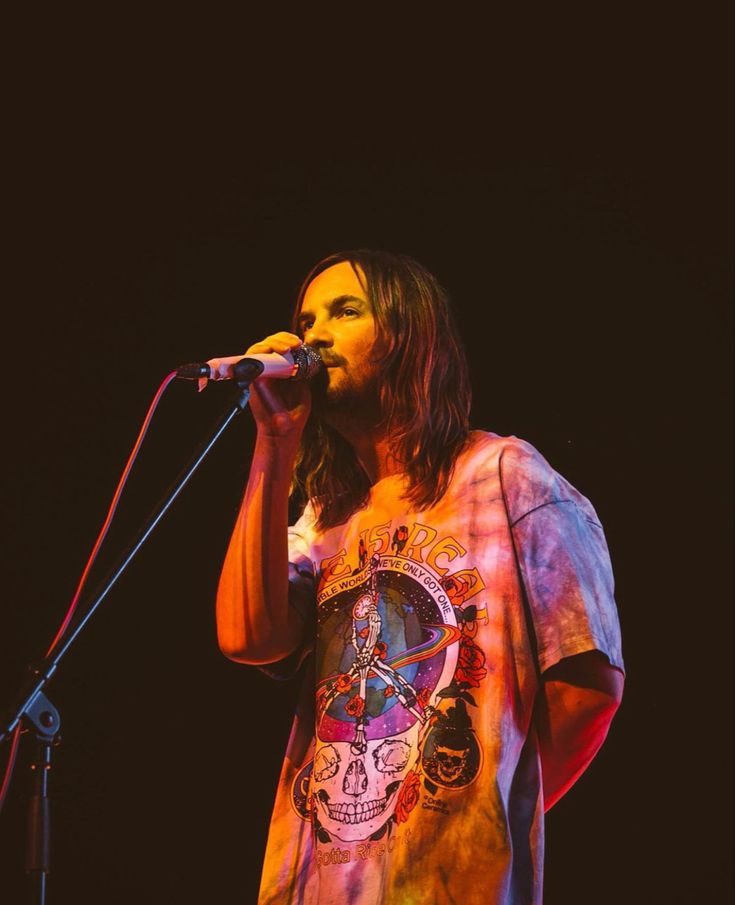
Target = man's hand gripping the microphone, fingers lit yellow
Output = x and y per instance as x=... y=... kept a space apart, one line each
x=280 y=407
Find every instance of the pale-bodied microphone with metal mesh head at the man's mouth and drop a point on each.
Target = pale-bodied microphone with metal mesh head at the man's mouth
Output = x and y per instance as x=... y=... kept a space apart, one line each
x=301 y=363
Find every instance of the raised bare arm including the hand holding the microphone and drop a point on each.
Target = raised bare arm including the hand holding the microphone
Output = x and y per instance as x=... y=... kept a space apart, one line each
x=255 y=623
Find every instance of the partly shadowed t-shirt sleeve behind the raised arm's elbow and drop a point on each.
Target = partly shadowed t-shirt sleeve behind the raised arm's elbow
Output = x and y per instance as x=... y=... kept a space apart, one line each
x=301 y=596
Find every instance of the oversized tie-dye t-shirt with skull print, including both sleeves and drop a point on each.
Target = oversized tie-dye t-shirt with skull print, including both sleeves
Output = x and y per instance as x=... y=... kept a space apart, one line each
x=412 y=772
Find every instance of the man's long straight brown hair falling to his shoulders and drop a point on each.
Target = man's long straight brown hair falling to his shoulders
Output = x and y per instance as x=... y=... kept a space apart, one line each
x=425 y=393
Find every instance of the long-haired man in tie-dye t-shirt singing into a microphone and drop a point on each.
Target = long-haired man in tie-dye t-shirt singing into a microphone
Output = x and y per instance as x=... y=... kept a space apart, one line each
x=447 y=595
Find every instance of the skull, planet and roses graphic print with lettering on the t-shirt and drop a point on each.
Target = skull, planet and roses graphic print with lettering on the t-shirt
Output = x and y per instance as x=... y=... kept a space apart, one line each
x=398 y=636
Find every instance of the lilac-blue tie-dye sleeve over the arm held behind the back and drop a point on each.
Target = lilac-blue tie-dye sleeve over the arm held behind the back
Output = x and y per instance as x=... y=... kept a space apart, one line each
x=563 y=559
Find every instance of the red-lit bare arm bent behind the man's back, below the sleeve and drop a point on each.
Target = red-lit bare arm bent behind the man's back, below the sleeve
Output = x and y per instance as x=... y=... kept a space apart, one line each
x=576 y=704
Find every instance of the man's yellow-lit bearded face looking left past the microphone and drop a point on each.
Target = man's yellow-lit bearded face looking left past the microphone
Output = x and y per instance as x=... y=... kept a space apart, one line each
x=337 y=318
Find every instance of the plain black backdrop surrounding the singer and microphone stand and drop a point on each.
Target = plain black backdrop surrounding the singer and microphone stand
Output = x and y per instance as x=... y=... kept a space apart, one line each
x=168 y=184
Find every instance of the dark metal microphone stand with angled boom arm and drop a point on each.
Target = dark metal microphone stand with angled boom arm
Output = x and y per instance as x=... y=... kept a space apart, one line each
x=36 y=711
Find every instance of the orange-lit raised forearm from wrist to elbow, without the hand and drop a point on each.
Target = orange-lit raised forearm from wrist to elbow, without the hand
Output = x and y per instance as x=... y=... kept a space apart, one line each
x=254 y=621
